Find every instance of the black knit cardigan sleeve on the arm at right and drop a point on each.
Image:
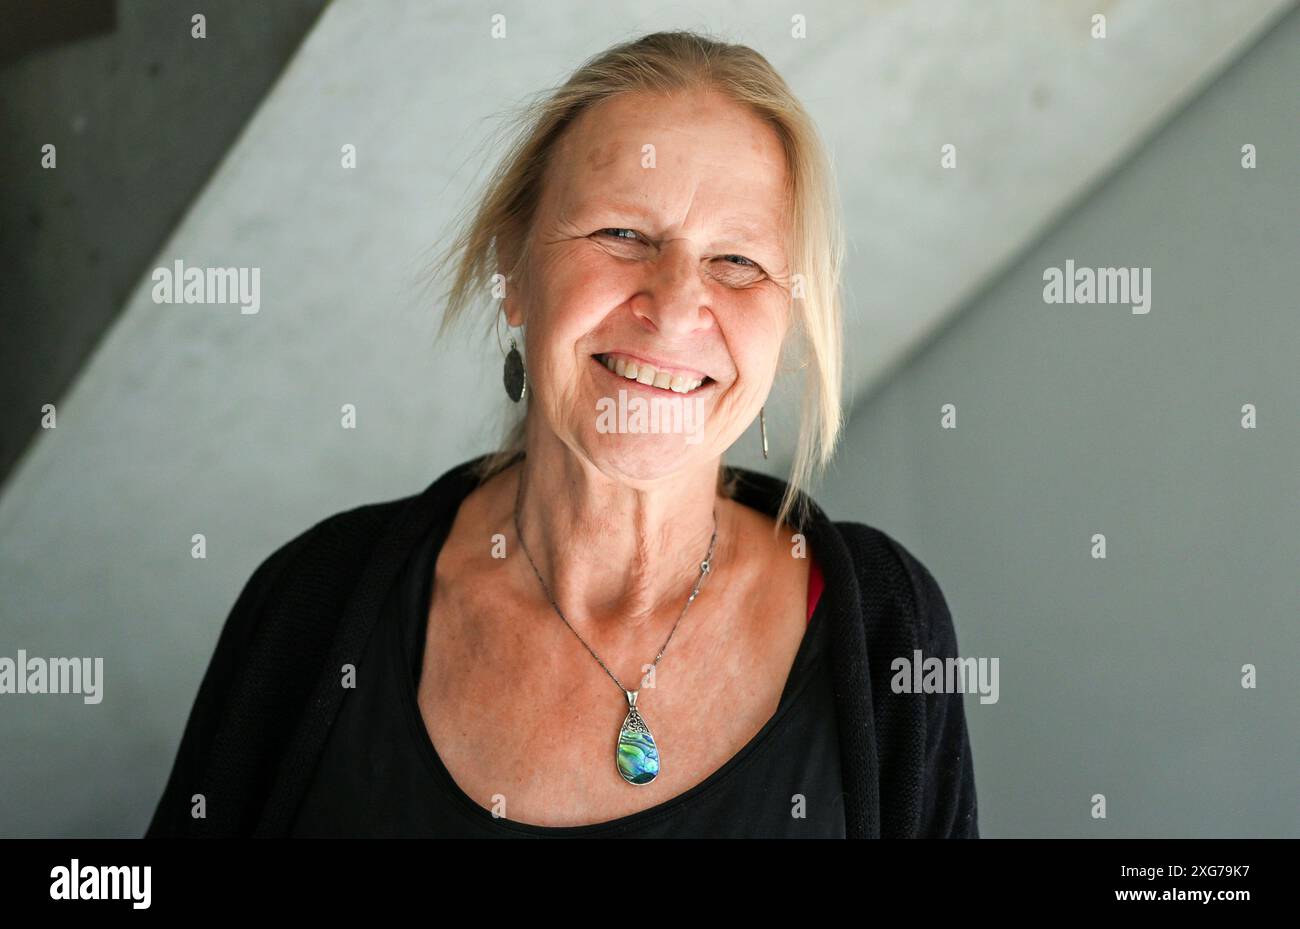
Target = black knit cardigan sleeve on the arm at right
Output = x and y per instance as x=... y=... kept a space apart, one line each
x=950 y=809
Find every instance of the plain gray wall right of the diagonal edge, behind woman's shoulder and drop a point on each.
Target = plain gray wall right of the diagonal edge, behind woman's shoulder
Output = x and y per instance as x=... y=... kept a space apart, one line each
x=1123 y=678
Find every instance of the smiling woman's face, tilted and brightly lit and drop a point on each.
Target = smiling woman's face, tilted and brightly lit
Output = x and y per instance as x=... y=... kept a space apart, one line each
x=658 y=241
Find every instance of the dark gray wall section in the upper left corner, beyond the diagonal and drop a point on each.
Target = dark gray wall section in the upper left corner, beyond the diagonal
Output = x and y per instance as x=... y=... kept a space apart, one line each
x=140 y=115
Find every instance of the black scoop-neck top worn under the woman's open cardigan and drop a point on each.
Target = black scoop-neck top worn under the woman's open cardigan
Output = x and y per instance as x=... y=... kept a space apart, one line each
x=380 y=774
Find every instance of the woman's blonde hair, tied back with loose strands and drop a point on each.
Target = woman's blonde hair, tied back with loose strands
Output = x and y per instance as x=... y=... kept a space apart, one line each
x=665 y=63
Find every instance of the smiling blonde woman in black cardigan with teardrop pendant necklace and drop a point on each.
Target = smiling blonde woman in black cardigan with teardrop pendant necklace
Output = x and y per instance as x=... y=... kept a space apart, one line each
x=601 y=630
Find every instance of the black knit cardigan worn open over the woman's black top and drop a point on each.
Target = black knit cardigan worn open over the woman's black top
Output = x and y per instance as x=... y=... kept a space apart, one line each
x=274 y=685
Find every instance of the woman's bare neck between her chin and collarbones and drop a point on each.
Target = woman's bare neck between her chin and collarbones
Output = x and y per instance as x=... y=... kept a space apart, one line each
x=614 y=552
